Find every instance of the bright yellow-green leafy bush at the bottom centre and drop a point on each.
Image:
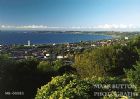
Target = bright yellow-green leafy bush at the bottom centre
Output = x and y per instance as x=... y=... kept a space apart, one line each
x=64 y=87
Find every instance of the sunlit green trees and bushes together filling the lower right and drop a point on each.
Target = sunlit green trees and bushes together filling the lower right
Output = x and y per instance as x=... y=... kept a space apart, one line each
x=117 y=64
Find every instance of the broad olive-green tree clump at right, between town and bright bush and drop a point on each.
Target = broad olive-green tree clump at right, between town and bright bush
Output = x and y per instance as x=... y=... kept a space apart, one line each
x=104 y=61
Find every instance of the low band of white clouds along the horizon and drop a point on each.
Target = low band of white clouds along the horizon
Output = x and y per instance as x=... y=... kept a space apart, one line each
x=104 y=26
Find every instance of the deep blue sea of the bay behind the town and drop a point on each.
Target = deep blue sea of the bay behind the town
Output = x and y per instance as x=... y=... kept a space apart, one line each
x=21 y=37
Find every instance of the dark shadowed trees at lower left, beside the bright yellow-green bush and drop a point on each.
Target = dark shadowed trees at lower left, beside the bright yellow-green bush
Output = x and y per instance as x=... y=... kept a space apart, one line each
x=26 y=76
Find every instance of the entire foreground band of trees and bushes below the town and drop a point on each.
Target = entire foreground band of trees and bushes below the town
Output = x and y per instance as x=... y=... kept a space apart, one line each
x=114 y=64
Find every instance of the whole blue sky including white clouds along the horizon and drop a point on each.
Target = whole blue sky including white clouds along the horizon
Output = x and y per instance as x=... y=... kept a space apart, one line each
x=70 y=14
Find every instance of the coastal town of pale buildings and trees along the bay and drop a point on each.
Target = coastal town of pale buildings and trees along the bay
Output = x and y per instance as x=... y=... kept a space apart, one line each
x=52 y=52
